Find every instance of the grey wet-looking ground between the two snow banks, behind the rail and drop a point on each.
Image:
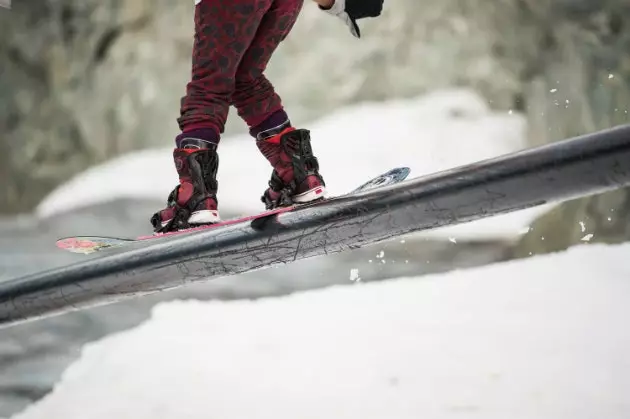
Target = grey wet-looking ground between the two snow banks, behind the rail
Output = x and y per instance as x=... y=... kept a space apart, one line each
x=34 y=354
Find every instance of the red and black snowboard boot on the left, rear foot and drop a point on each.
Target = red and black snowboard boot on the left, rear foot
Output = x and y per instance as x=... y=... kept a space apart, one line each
x=194 y=201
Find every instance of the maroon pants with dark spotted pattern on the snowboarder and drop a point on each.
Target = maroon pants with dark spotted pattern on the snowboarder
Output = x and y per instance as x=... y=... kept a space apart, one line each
x=234 y=40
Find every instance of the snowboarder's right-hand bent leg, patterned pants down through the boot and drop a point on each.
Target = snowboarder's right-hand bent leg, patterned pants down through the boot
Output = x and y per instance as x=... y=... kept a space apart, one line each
x=295 y=177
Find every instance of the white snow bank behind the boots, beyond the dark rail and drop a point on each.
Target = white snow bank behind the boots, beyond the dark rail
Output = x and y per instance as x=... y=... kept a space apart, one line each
x=430 y=133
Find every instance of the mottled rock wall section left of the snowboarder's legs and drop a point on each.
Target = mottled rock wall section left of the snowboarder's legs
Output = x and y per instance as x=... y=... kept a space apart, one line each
x=85 y=81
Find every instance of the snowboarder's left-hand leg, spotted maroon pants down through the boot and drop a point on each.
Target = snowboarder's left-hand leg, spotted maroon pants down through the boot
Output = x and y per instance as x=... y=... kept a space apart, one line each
x=223 y=32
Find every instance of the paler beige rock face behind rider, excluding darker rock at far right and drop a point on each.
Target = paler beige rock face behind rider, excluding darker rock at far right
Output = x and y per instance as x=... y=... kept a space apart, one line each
x=87 y=80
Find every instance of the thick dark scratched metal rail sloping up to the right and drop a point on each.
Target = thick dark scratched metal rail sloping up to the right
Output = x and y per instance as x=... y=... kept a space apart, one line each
x=560 y=171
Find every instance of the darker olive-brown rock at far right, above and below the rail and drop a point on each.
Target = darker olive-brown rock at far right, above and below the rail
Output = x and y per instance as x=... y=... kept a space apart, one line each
x=577 y=81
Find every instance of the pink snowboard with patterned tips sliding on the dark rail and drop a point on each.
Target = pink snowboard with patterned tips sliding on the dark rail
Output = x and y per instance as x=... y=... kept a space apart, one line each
x=91 y=244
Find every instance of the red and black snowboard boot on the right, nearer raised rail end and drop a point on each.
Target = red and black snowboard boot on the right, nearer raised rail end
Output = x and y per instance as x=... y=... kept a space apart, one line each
x=295 y=177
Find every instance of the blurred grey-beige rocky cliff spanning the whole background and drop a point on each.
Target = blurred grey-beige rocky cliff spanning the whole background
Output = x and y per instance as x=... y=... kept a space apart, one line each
x=84 y=80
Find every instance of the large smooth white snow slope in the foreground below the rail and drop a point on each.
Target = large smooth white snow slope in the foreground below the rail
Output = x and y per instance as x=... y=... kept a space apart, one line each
x=545 y=337
